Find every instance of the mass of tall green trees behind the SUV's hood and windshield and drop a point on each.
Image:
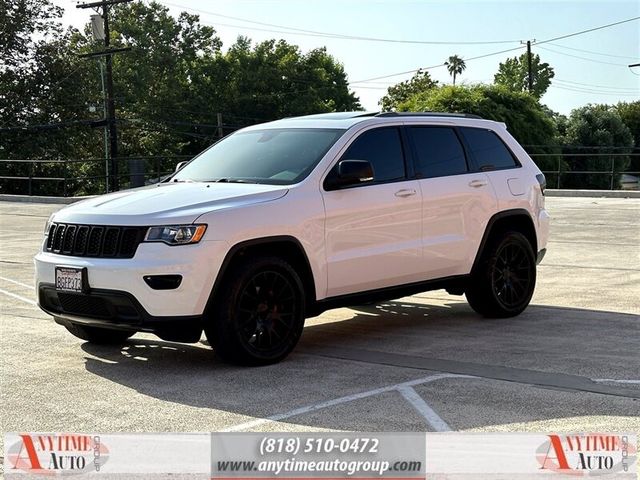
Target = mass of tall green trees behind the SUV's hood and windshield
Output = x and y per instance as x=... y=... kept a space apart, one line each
x=168 y=89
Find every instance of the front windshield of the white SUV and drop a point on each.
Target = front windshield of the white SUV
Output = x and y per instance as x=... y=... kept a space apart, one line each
x=275 y=156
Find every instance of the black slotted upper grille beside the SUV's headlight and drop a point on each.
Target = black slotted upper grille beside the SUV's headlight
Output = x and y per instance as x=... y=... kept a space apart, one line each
x=94 y=241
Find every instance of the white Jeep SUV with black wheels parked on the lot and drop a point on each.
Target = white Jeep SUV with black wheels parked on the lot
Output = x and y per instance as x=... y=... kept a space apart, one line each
x=281 y=221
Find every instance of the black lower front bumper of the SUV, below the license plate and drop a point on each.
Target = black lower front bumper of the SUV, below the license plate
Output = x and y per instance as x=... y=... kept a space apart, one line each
x=116 y=310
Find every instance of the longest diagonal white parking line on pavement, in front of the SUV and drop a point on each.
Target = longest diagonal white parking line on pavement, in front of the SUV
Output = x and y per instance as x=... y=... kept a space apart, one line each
x=339 y=401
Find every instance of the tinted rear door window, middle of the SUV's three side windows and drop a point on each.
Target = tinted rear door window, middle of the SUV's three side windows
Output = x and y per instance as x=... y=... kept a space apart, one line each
x=439 y=152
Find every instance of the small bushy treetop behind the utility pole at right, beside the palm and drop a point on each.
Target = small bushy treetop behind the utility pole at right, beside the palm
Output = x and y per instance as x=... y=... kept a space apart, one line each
x=514 y=74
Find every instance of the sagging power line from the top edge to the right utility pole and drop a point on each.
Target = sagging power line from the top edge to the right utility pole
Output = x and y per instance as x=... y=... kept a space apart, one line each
x=301 y=31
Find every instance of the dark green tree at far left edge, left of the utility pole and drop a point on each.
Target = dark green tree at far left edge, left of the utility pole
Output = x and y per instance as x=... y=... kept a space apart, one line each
x=44 y=95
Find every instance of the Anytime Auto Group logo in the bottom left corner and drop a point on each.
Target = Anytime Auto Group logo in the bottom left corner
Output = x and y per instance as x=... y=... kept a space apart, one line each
x=56 y=454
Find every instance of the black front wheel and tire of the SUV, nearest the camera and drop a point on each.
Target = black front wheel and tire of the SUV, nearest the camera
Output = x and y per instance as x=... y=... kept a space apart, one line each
x=258 y=313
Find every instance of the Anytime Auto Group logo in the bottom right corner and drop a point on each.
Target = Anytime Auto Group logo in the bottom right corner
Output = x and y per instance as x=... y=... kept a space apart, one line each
x=586 y=455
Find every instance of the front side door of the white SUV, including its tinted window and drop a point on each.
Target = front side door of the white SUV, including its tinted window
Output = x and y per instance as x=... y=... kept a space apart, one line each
x=373 y=230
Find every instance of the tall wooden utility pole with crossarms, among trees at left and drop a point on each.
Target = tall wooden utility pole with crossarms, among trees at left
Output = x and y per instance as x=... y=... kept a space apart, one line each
x=109 y=100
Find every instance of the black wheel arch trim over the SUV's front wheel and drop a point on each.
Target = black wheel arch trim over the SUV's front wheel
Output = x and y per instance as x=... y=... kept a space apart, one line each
x=286 y=247
